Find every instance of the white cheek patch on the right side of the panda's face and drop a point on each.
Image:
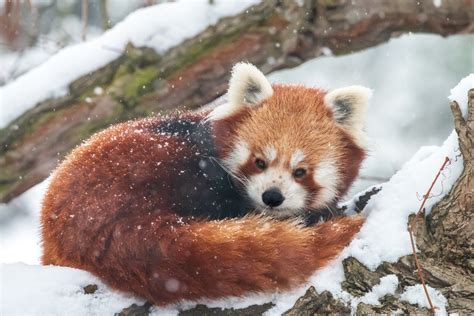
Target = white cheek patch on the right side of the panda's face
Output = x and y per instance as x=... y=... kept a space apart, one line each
x=327 y=176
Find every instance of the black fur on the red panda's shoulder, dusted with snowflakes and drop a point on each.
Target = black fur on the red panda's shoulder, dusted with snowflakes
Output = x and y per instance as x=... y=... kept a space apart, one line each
x=208 y=191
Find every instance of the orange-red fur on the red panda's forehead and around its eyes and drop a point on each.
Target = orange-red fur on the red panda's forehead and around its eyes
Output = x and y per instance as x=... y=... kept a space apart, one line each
x=295 y=117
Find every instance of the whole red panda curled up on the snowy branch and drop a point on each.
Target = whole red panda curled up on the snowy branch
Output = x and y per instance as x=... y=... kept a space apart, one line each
x=203 y=205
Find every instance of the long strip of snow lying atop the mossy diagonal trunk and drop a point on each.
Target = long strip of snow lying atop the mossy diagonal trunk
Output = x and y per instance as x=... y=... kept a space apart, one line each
x=160 y=27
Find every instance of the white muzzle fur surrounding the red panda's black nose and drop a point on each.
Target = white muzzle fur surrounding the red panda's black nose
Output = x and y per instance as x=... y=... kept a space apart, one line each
x=294 y=193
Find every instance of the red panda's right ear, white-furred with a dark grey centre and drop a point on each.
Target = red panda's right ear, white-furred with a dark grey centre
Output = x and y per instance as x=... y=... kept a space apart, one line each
x=349 y=106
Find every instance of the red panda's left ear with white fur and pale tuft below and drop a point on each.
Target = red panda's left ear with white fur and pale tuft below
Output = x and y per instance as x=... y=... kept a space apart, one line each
x=247 y=86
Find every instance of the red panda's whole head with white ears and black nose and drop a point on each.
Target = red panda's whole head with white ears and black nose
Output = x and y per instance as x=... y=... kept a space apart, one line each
x=292 y=148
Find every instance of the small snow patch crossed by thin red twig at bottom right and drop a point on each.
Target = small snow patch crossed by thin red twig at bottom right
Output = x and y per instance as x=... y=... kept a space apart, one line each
x=416 y=295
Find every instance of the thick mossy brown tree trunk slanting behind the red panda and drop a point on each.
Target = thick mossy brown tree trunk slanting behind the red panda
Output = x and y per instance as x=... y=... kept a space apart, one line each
x=272 y=35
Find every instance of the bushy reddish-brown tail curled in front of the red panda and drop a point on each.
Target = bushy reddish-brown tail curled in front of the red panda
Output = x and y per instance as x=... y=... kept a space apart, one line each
x=166 y=260
